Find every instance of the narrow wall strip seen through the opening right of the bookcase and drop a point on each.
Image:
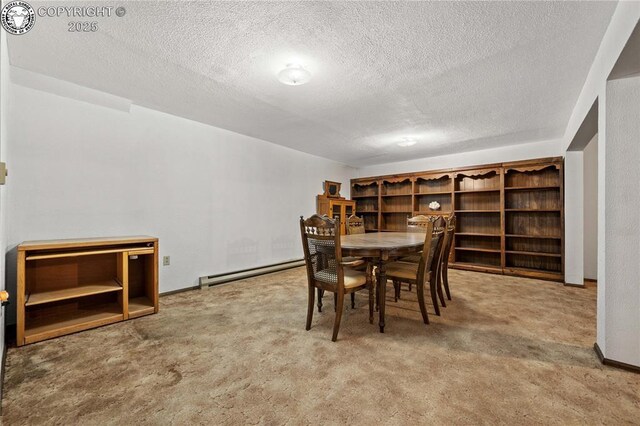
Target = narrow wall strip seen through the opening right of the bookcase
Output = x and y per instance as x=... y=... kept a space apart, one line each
x=590 y=178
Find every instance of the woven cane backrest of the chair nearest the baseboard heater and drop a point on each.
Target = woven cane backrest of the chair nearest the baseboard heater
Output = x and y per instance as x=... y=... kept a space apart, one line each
x=321 y=244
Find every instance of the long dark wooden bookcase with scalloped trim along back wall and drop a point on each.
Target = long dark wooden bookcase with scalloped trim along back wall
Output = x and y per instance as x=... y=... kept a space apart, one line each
x=510 y=216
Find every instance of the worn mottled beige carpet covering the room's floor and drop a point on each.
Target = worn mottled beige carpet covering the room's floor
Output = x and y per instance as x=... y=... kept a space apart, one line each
x=505 y=351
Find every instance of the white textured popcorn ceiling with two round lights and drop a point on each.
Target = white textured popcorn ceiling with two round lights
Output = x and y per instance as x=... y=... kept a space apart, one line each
x=456 y=76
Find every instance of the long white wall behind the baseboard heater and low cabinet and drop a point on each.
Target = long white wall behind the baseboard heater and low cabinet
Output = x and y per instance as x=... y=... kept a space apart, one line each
x=217 y=200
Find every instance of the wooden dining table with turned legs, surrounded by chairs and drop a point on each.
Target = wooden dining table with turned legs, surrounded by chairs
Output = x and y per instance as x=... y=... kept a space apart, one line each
x=379 y=248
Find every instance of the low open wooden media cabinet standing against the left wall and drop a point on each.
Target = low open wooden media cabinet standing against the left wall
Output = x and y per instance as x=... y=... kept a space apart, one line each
x=65 y=286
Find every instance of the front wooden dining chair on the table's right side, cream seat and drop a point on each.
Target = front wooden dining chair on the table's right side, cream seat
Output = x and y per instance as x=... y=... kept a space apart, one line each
x=425 y=271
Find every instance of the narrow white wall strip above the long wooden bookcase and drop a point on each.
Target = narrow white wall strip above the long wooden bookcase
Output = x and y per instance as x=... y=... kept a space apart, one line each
x=527 y=151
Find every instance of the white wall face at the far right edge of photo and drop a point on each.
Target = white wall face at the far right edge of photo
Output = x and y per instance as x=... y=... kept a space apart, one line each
x=622 y=202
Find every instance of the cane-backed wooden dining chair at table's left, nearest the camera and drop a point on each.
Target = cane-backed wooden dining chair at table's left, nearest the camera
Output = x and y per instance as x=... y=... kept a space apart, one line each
x=326 y=270
